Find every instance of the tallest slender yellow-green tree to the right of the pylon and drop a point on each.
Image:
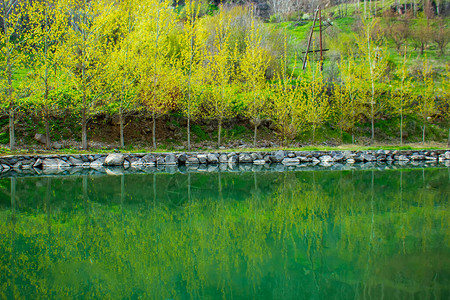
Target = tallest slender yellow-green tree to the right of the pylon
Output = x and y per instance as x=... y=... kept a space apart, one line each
x=372 y=58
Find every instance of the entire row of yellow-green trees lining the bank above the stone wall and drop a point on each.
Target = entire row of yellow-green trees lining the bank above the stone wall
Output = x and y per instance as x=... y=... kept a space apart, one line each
x=89 y=57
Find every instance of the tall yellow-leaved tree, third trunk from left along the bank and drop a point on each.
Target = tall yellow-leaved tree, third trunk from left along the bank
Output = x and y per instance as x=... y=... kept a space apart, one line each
x=86 y=52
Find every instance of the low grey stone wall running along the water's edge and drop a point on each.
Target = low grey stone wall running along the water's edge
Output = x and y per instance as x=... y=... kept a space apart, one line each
x=194 y=160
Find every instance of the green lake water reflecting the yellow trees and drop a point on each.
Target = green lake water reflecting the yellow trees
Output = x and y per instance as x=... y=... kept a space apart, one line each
x=245 y=235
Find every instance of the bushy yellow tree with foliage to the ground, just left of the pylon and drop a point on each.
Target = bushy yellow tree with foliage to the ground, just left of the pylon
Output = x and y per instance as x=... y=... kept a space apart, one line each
x=288 y=113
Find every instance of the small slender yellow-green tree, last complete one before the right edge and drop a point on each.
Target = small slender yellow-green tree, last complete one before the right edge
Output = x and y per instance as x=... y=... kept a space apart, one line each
x=426 y=101
